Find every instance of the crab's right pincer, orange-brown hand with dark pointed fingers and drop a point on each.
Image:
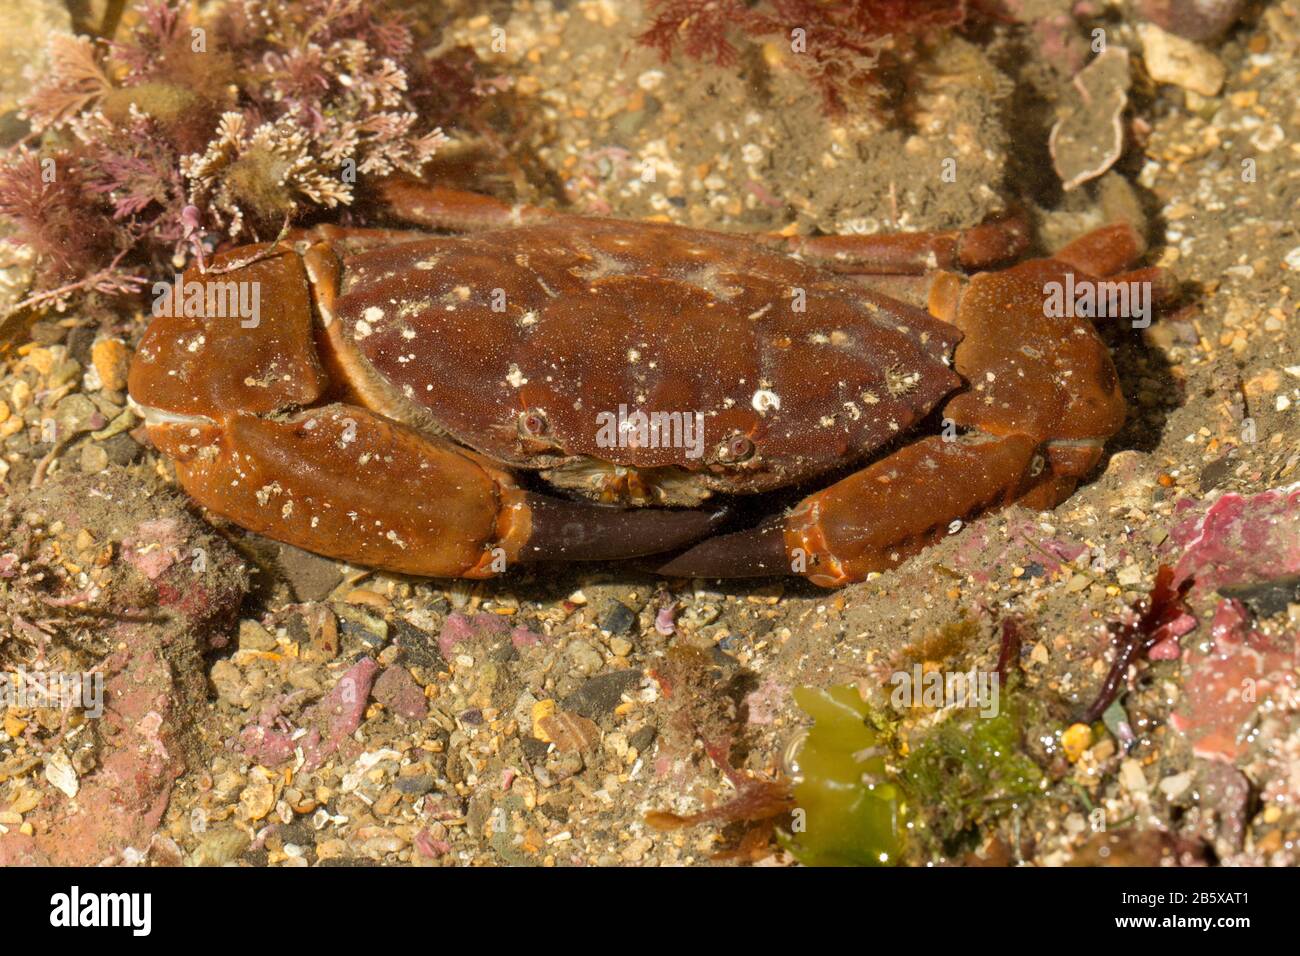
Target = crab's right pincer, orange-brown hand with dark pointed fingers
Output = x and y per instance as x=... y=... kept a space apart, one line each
x=876 y=518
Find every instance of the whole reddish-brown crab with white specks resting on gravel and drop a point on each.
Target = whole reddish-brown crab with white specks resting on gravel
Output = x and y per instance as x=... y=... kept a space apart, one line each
x=538 y=387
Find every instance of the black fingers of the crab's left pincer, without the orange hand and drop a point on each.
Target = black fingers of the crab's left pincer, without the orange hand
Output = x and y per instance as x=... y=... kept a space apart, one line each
x=574 y=531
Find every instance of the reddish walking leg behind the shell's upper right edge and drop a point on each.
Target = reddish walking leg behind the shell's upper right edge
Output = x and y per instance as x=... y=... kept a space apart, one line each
x=913 y=254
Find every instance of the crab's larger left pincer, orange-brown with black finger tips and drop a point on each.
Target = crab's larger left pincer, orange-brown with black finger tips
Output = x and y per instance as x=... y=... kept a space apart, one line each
x=354 y=486
